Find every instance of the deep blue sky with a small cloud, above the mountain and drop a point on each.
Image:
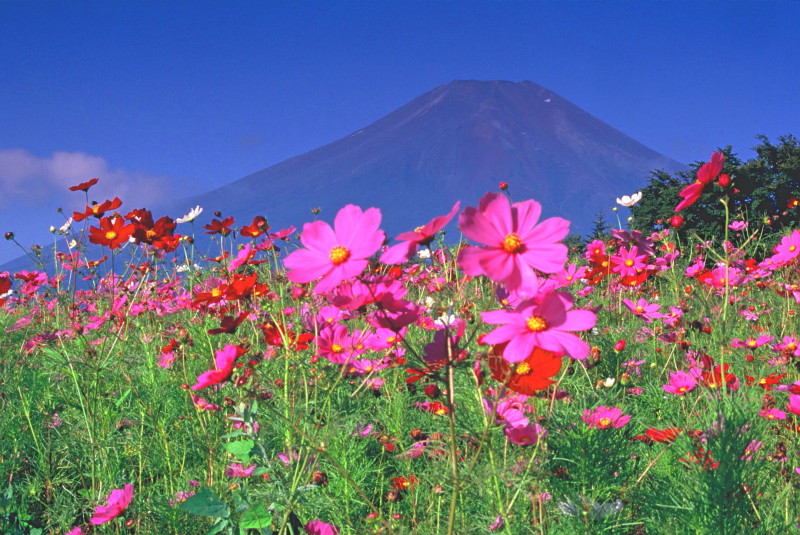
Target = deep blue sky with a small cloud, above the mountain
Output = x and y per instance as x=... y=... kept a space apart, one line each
x=170 y=98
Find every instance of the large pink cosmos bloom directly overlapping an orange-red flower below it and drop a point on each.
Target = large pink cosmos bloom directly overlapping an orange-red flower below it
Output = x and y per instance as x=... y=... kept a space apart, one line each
x=542 y=322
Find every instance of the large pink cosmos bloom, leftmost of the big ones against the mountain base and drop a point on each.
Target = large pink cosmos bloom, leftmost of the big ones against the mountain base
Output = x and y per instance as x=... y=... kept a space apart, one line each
x=339 y=253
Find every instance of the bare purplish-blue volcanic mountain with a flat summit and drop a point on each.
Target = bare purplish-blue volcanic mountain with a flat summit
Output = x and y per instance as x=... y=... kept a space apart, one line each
x=455 y=142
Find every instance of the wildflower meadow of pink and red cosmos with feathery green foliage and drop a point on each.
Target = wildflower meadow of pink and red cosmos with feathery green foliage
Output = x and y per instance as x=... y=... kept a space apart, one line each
x=332 y=379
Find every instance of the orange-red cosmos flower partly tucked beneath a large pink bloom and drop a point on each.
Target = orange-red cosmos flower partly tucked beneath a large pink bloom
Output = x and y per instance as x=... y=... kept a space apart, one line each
x=528 y=376
